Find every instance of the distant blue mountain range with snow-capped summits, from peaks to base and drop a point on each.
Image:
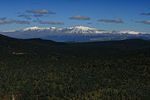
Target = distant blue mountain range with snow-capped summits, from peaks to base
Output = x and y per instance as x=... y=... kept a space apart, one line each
x=76 y=34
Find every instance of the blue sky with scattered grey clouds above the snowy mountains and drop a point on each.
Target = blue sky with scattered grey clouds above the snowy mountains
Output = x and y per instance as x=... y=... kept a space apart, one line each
x=100 y=14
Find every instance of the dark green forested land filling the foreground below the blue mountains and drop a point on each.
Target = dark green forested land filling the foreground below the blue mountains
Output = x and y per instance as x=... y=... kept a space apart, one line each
x=37 y=69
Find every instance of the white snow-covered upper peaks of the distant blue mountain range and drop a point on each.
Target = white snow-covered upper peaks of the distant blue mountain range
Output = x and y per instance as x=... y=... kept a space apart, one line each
x=78 y=30
